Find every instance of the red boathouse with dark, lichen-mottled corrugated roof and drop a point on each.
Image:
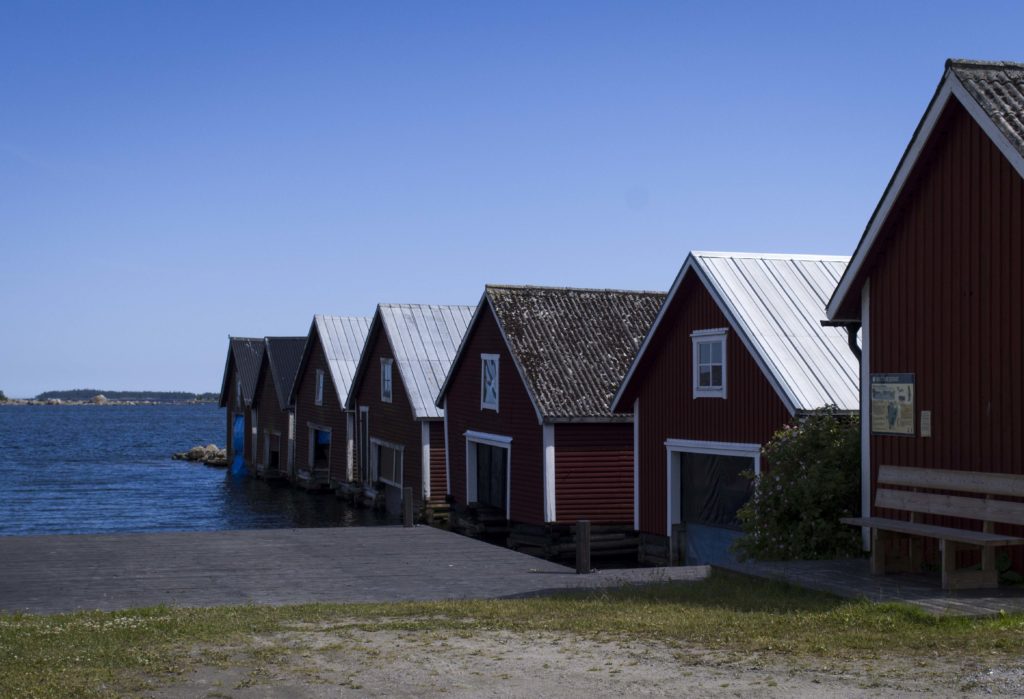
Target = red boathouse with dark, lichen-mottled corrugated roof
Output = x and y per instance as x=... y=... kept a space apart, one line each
x=533 y=446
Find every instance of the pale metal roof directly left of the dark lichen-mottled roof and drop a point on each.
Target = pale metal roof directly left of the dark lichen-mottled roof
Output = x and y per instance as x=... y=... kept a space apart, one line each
x=424 y=340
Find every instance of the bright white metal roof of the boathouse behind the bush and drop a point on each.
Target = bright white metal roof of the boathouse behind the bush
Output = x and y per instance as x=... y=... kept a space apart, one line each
x=775 y=303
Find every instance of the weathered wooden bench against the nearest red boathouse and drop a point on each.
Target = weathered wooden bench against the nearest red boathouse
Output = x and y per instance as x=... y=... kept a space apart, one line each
x=980 y=506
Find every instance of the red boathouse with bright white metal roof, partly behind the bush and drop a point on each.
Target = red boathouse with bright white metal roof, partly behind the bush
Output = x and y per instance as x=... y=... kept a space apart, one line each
x=737 y=353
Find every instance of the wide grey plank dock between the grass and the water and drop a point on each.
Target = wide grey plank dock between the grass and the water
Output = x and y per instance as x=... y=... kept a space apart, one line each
x=51 y=575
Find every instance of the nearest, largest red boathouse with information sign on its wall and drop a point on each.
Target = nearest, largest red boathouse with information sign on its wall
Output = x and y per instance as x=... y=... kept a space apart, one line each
x=936 y=285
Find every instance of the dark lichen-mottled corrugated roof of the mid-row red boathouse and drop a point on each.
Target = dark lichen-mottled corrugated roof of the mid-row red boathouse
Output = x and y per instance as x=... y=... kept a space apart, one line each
x=571 y=346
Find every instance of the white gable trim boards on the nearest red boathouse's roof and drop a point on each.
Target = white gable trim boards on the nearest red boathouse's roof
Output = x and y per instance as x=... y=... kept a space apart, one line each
x=951 y=88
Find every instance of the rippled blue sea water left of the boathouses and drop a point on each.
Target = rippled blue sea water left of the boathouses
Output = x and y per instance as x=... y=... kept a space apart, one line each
x=68 y=469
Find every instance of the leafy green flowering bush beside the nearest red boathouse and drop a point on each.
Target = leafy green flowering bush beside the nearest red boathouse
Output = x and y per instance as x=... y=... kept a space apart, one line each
x=813 y=478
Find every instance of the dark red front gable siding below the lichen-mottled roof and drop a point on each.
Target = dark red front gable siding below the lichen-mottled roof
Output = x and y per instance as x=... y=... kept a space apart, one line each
x=517 y=419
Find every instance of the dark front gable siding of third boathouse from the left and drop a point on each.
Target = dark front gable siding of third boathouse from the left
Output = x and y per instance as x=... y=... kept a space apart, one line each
x=330 y=415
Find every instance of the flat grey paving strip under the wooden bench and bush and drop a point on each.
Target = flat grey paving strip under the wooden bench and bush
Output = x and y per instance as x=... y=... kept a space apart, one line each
x=852 y=579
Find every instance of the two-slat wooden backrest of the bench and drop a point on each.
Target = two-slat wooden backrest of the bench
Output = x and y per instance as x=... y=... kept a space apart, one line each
x=984 y=509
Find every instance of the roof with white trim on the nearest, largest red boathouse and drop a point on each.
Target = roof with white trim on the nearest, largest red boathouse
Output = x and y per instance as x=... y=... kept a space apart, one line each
x=993 y=93
